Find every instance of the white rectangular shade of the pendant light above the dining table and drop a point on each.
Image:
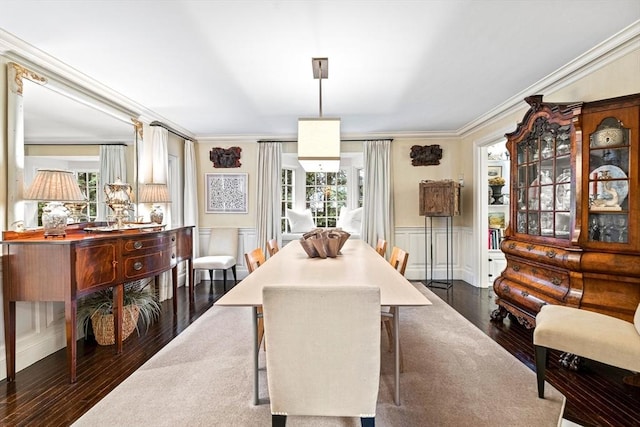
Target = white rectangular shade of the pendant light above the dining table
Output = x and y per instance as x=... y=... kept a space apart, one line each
x=319 y=144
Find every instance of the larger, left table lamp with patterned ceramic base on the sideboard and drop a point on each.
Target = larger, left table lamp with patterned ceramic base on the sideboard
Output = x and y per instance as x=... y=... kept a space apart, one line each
x=55 y=187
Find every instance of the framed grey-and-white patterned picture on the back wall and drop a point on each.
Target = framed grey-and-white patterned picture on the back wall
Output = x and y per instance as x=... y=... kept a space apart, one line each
x=226 y=193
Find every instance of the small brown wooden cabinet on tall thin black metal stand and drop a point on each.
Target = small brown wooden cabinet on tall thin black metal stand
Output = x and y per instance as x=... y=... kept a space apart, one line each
x=439 y=199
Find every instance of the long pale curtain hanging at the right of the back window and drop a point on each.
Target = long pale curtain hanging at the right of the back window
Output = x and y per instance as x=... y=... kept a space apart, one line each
x=377 y=215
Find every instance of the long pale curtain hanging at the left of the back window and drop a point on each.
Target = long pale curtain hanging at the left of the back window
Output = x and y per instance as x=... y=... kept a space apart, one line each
x=269 y=189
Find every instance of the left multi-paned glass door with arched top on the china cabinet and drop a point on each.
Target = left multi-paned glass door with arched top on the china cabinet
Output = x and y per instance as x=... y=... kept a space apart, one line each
x=543 y=182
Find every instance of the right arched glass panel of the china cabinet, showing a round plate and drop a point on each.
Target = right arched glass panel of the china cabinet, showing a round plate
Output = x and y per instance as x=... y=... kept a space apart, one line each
x=608 y=182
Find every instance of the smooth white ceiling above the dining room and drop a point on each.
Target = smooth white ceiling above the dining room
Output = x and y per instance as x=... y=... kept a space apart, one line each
x=238 y=68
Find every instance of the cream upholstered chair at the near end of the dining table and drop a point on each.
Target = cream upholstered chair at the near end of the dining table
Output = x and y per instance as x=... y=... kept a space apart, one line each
x=338 y=373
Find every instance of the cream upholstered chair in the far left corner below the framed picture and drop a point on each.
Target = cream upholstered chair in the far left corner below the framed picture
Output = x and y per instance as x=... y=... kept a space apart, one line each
x=221 y=254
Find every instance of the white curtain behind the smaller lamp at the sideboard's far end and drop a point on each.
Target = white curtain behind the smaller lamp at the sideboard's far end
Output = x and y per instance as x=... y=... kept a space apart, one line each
x=160 y=175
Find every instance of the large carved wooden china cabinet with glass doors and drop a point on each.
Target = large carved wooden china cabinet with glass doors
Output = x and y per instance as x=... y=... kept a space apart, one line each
x=574 y=231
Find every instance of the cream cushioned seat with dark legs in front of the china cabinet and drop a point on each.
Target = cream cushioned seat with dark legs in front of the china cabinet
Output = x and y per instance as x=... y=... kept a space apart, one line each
x=584 y=333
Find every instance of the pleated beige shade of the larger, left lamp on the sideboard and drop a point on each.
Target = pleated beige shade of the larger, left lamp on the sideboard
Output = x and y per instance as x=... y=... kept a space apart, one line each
x=54 y=185
